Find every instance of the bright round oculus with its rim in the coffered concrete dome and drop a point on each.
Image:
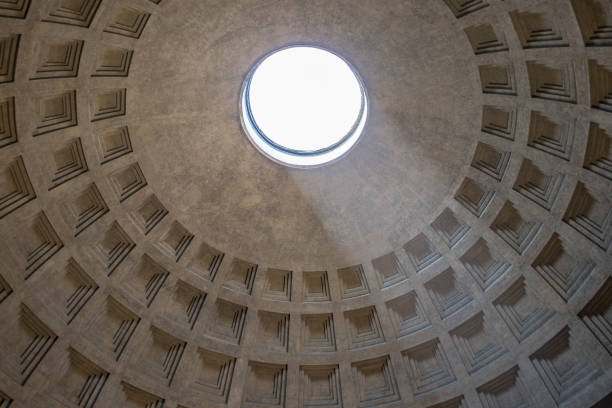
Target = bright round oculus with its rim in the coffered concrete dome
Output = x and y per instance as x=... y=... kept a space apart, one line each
x=303 y=106
